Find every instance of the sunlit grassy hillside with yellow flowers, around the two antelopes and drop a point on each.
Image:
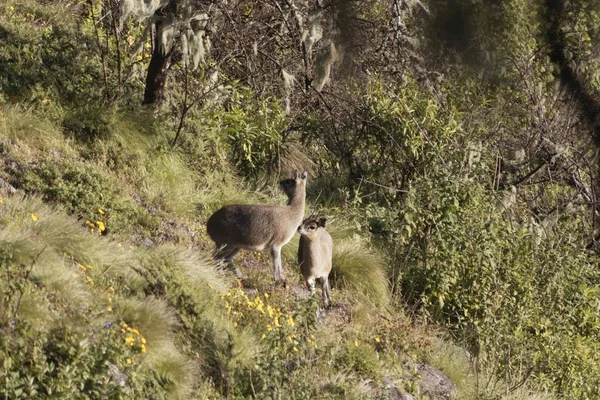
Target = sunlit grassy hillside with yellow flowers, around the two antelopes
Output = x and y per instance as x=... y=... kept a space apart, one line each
x=118 y=297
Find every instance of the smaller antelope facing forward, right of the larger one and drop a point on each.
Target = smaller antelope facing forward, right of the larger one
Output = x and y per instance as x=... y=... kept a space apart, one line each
x=315 y=254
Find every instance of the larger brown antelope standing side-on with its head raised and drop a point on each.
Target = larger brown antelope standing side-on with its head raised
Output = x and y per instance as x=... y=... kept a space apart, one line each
x=257 y=227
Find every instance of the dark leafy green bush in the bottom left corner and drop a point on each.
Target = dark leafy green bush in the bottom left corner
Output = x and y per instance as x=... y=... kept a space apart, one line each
x=95 y=363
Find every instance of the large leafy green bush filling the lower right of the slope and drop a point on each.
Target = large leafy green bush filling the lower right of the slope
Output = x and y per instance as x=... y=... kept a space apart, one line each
x=519 y=301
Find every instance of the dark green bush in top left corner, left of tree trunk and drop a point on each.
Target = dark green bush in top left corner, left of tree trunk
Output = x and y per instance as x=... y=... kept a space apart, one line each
x=71 y=68
